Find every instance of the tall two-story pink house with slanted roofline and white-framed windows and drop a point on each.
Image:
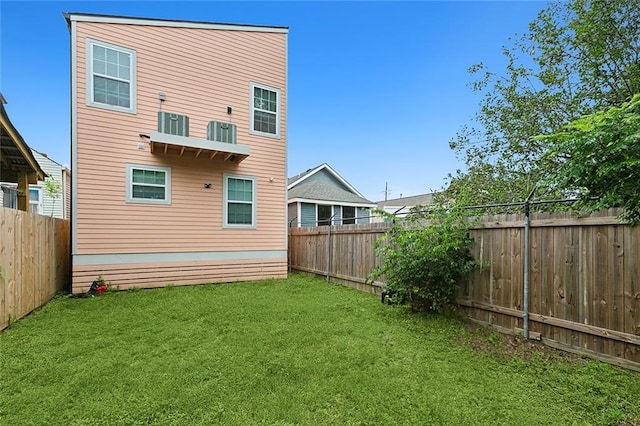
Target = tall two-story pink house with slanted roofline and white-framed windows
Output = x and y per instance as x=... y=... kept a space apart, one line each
x=178 y=151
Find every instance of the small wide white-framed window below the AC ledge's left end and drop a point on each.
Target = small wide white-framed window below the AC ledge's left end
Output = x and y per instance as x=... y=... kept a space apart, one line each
x=148 y=184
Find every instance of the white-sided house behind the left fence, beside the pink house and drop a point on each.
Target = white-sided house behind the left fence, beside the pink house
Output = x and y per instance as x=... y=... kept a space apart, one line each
x=40 y=200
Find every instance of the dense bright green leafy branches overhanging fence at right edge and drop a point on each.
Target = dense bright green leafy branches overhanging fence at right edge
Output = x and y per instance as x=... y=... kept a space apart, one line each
x=598 y=158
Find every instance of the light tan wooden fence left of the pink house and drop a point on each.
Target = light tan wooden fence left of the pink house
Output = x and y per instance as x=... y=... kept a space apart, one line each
x=34 y=262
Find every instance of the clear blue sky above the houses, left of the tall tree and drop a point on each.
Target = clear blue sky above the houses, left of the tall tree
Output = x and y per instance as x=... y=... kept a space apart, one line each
x=376 y=89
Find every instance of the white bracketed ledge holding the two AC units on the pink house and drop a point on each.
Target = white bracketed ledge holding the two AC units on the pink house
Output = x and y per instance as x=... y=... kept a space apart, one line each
x=162 y=143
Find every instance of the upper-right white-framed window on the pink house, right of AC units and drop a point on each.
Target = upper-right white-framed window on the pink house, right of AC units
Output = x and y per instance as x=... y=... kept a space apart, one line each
x=265 y=110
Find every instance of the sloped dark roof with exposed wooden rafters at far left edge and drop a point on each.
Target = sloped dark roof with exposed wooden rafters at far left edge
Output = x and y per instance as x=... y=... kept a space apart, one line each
x=16 y=158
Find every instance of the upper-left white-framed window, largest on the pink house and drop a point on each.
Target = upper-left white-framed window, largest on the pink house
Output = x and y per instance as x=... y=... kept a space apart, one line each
x=111 y=72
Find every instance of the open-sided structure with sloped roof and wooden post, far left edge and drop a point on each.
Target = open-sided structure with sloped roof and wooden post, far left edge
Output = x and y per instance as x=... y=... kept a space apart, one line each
x=17 y=164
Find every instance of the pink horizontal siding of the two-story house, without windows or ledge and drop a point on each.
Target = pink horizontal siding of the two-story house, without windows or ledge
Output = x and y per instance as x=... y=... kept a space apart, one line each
x=201 y=72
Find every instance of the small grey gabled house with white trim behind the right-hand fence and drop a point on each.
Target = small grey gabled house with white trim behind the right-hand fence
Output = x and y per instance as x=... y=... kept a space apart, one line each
x=320 y=196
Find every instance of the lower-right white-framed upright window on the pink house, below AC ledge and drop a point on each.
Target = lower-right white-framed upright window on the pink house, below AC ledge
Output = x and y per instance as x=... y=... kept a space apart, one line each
x=239 y=201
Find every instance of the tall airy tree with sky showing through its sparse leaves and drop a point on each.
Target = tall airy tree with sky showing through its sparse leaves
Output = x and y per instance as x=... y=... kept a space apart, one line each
x=578 y=57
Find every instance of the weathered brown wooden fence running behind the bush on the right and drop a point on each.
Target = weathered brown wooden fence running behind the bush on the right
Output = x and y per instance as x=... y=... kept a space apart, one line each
x=584 y=277
